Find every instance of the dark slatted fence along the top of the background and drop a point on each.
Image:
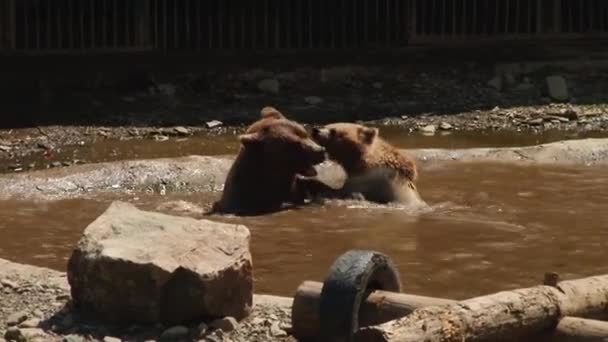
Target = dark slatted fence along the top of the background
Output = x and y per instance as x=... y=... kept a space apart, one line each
x=75 y=26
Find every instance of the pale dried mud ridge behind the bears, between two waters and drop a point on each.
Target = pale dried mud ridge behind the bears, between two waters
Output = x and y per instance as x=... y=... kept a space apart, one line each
x=205 y=173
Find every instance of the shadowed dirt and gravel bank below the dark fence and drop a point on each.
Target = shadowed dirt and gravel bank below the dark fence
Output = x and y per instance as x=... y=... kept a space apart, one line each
x=77 y=109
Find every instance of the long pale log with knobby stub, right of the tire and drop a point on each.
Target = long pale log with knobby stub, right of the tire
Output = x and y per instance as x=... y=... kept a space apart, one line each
x=505 y=315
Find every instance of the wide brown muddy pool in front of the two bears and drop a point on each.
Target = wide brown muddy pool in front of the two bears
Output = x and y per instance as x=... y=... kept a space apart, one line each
x=492 y=227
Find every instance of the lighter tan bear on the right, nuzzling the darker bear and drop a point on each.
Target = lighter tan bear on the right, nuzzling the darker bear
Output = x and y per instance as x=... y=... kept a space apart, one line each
x=375 y=170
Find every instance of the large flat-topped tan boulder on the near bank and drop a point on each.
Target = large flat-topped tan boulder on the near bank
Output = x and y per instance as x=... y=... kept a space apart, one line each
x=137 y=266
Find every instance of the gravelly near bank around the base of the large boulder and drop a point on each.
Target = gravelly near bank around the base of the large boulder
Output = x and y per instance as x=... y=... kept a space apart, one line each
x=39 y=299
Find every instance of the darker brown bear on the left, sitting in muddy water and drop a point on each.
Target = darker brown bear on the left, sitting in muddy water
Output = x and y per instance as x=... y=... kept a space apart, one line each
x=263 y=176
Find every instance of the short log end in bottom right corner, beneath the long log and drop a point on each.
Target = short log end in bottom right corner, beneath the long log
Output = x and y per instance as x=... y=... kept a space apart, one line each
x=574 y=329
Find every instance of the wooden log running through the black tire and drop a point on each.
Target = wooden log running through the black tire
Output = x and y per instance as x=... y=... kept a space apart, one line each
x=378 y=307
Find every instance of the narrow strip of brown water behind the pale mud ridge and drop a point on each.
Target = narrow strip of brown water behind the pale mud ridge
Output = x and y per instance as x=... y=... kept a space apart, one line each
x=111 y=150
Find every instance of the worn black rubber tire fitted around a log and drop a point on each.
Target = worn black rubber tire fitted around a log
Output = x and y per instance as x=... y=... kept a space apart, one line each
x=351 y=278
